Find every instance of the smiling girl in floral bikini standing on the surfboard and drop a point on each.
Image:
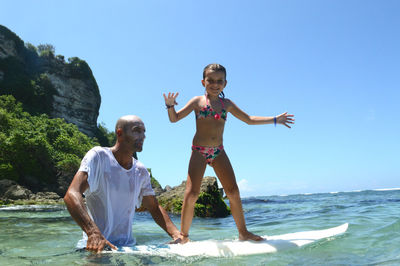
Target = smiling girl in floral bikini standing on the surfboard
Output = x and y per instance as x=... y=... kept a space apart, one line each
x=211 y=112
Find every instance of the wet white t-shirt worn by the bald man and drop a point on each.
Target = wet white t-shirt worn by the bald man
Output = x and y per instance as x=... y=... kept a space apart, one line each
x=113 y=194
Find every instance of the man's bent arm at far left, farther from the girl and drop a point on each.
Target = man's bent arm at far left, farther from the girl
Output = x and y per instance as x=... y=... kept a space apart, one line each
x=74 y=201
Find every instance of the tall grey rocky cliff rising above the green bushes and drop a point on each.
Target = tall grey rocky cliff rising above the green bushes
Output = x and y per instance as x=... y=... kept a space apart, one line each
x=45 y=83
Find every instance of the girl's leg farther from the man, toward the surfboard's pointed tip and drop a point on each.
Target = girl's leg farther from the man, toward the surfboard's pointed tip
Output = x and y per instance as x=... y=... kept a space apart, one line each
x=223 y=169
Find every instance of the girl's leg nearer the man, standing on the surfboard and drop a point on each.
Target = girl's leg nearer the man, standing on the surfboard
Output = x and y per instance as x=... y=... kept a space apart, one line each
x=197 y=167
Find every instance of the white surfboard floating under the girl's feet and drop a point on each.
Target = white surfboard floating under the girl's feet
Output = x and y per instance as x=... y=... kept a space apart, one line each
x=229 y=248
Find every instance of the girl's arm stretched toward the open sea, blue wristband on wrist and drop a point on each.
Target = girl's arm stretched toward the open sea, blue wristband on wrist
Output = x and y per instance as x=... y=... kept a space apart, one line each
x=283 y=119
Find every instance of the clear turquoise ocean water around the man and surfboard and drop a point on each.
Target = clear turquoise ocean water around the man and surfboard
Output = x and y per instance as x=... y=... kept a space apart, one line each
x=32 y=235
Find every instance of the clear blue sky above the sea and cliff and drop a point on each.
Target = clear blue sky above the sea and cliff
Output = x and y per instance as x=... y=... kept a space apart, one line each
x=335 y=65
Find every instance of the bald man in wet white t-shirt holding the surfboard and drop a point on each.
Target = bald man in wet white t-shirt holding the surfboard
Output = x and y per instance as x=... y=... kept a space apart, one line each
x=114 y=183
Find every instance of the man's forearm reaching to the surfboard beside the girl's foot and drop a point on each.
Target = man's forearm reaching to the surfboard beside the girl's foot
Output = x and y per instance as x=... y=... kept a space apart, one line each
x=160 y=216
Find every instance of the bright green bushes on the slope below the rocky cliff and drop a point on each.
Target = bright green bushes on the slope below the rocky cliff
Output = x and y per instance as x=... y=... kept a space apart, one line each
x=36 y=150
